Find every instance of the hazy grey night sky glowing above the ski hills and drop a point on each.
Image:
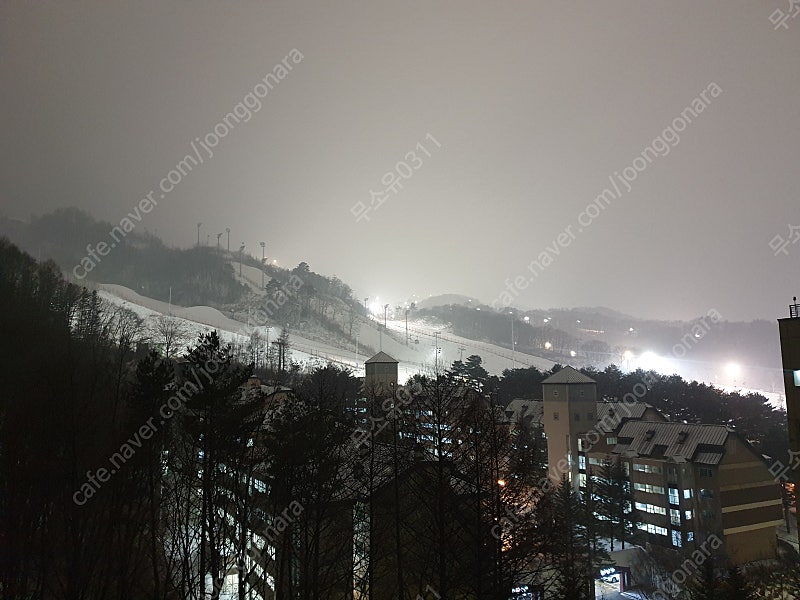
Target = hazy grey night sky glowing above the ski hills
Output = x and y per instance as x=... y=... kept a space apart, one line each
x=535 y=106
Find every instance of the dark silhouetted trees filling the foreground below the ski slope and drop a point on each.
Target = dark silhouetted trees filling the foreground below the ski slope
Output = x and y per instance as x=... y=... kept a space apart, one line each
x=127 y=473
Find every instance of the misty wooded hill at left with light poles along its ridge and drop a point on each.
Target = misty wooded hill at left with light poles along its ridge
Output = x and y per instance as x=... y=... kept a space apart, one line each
x=87 y=250
